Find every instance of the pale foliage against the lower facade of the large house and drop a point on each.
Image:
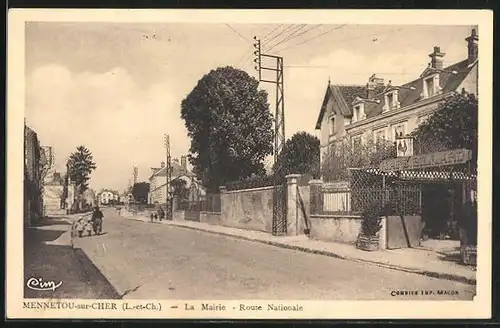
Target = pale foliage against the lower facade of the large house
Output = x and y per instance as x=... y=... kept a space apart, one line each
x=342 y=155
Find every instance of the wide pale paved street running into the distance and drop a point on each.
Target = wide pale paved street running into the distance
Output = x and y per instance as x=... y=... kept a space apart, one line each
x=156 y=261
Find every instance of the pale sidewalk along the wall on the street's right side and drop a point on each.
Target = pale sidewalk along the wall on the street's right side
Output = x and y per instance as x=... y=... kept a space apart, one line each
x=414 y=260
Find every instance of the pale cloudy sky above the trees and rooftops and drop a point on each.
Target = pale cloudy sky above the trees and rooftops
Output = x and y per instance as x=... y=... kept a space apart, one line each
x=117 y=87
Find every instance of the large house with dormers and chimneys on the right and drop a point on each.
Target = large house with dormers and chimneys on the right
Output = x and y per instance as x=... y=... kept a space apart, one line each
x=382 y=111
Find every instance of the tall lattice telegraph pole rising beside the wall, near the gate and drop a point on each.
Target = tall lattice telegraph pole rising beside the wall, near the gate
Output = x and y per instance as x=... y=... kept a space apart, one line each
x=279 y=225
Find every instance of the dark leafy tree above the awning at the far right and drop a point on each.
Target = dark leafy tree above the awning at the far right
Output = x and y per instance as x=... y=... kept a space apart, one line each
x=452 y=126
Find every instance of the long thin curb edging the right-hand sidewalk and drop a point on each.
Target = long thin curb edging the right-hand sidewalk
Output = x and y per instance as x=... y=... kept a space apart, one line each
x=431 y=274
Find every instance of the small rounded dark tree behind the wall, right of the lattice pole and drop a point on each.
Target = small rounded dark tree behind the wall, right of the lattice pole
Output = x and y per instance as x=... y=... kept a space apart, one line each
x=301 y=155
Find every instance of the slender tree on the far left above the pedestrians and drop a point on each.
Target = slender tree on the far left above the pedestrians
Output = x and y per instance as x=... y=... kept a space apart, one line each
x=80 y=165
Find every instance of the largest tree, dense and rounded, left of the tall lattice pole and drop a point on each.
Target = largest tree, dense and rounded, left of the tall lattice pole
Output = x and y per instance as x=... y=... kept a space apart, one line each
x=230 y=126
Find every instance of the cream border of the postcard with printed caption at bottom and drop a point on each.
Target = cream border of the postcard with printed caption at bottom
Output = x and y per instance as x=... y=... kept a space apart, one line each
x=480 y=307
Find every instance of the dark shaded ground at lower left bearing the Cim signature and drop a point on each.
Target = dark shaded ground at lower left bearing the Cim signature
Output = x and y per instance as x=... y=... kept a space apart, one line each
x=48 y=255
